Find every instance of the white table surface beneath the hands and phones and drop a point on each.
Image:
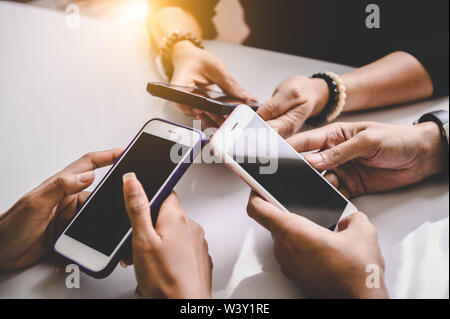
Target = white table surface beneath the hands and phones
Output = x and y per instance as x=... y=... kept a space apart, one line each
x=65 y=92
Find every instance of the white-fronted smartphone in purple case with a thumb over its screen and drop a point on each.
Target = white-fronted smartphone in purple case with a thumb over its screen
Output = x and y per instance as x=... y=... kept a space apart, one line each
x=159 y=155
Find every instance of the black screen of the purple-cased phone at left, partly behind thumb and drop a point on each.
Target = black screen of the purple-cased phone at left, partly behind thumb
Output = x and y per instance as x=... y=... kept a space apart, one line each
x=103 y=221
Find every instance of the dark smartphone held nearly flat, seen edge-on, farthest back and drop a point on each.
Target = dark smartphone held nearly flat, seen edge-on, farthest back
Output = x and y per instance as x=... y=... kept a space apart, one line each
x=211 y=101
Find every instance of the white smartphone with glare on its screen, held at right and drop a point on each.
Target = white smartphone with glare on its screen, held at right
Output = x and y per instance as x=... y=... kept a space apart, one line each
x=277 y=172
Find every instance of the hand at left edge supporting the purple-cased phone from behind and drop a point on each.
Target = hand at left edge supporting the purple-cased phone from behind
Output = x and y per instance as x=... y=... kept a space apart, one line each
x=29 y=229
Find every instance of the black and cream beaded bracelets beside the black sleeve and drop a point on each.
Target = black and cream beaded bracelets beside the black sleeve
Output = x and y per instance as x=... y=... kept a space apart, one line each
x=336 y=100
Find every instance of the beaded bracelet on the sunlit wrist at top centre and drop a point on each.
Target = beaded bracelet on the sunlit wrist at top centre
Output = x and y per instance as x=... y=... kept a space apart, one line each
x=167 y=44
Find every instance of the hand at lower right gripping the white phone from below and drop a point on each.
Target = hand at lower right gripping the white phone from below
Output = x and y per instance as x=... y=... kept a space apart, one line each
x=324 y=263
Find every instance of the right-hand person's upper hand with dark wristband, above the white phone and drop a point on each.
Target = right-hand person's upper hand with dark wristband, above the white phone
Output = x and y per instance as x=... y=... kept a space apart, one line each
x=371 y=157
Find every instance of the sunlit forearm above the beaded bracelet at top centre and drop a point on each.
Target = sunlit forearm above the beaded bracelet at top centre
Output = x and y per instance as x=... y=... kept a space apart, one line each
x=169 y=19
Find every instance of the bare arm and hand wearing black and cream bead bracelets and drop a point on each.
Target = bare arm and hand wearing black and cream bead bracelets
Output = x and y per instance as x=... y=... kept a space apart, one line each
x=396 y=78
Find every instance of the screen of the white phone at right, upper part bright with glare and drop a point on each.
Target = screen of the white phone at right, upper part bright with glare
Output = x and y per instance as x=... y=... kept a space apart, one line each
x=280 y=170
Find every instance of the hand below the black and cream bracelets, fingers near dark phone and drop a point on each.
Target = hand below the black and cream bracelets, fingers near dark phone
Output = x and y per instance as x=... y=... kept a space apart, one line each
x=293 y=102
